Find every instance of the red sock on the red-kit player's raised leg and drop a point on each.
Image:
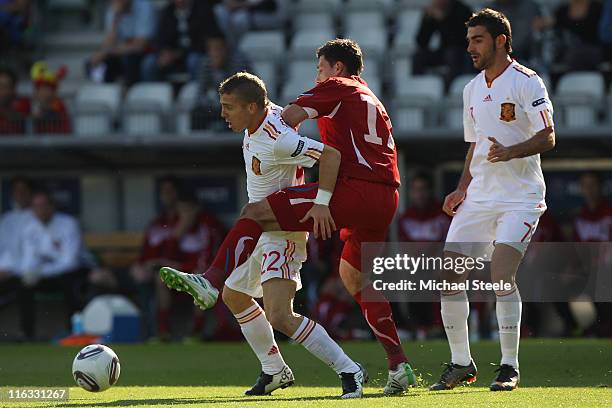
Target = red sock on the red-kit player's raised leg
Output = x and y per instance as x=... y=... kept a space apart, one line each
x=236 y=248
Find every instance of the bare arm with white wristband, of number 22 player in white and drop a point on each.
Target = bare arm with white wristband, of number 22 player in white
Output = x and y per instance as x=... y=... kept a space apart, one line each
x=324 y=224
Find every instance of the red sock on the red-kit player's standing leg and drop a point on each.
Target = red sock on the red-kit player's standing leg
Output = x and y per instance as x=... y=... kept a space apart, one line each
x=377 y=312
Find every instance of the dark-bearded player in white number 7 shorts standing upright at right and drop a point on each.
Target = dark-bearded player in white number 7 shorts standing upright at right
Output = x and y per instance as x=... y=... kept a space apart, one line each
x=500 y=196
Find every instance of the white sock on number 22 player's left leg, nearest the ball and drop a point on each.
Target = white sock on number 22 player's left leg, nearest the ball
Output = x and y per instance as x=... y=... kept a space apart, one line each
x=258 y=333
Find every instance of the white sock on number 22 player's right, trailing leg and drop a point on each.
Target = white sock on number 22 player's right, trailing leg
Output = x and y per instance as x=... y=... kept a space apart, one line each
x=316 y=340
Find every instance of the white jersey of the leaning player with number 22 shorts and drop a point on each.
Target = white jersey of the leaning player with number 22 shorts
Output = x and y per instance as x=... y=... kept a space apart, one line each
x=274 y=157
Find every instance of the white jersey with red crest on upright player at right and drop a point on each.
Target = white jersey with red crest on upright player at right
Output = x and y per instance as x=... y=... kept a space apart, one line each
x=512 y=109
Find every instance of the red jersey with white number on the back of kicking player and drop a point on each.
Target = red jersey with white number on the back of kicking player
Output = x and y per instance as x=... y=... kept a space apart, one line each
x=353 y=120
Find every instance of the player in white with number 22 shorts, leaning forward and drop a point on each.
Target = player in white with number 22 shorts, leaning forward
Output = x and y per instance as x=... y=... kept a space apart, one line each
x=274 y=156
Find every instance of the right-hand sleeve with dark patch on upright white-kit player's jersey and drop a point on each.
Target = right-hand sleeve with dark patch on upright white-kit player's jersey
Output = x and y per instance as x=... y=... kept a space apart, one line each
x=537 y=104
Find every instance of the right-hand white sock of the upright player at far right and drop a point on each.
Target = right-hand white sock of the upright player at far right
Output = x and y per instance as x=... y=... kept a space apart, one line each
x=509 y=308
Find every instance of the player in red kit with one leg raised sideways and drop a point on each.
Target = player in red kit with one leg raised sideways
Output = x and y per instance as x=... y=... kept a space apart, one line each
x=361 y=199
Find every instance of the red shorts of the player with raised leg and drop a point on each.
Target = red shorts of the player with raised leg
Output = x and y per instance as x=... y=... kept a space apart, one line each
x=362 y=210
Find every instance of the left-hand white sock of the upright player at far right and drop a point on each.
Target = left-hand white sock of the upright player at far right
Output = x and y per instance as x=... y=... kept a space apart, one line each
x=455 y=310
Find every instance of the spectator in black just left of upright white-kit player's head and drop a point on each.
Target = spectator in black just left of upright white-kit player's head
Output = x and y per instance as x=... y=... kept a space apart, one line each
x=447 y=18
